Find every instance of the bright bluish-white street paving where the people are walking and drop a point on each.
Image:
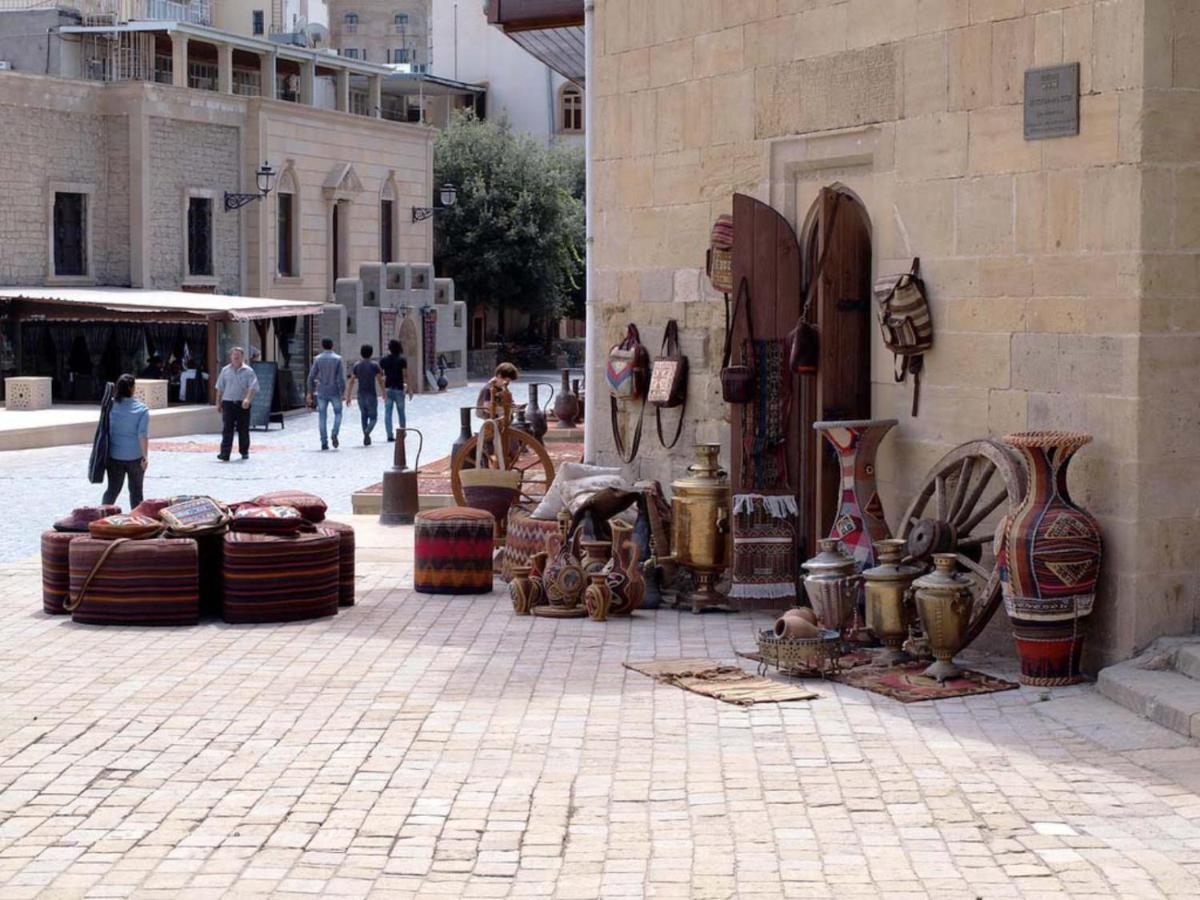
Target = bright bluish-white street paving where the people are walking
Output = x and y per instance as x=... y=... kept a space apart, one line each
x=53 y=481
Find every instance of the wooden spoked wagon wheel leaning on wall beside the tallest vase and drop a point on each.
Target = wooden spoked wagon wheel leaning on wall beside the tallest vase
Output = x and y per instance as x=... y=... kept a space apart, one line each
x=957 y=512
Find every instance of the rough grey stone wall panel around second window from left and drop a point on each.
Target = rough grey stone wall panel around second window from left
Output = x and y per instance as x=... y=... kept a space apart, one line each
x=193 y=157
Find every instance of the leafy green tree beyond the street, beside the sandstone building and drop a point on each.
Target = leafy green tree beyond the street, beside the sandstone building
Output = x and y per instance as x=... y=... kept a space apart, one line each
x=514 y=239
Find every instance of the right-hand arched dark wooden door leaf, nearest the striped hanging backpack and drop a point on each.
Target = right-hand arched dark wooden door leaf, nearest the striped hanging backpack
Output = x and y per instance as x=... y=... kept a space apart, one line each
x=838 y=229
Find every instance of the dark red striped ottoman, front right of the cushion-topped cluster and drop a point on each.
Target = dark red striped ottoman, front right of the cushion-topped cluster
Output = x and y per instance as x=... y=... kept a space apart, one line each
x=275 y=578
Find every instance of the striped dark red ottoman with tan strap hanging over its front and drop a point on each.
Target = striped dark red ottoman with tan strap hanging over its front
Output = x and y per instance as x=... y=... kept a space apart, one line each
x=136 y=583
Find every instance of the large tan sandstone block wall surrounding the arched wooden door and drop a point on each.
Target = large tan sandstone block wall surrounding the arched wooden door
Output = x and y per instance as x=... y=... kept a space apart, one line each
x=1063 y=273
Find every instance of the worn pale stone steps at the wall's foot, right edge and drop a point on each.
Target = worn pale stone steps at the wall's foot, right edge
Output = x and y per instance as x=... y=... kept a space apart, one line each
x=1163 y=686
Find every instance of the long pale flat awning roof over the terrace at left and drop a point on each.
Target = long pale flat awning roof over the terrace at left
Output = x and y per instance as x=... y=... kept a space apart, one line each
x=146 y=305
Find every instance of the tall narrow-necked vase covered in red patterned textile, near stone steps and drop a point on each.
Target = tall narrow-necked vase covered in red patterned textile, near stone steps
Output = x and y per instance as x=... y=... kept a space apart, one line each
x=1052 y=561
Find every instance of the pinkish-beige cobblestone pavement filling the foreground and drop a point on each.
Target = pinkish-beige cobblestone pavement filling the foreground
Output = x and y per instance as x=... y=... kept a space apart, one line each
x=421 y=746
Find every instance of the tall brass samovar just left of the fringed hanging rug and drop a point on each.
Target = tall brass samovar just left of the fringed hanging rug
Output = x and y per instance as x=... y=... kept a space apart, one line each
x=700 y=514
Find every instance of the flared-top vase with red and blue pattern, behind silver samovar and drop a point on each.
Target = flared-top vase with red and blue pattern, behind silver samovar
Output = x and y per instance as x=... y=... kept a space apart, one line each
x=860 y=520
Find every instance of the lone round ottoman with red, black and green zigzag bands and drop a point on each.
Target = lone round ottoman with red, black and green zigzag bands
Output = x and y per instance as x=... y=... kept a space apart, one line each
x=454 y=551
